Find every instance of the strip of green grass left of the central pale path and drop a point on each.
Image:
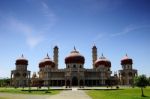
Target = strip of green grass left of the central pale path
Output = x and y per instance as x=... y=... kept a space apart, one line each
x=19 y=91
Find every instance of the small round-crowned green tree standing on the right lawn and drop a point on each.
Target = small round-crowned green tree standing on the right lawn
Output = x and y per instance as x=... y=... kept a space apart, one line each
x=141 y=81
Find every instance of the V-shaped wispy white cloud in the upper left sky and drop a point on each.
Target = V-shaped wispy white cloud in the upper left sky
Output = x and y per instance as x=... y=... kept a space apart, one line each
x=33 y=36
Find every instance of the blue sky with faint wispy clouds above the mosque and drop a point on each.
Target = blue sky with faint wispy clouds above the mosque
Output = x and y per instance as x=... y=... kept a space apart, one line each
x=34 y=27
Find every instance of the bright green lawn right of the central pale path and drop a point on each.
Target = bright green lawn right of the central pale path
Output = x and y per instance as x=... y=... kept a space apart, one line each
x=126 y=93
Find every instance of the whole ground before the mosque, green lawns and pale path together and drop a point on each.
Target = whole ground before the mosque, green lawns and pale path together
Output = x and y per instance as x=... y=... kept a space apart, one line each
x=95 y=93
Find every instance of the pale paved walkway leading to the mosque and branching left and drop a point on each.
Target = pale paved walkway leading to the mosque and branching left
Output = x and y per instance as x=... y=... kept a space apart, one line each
x=66 y=94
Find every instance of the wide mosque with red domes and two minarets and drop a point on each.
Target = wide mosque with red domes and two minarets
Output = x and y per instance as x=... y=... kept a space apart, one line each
x=74 y=74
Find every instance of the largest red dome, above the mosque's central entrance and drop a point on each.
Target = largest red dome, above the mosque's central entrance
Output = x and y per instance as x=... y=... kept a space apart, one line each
x=74 y=57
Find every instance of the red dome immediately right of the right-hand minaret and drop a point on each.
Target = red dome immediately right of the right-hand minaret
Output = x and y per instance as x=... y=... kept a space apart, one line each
x=102 y=61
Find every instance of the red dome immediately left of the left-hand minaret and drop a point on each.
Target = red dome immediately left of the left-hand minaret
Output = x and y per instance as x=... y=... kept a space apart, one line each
x=46 y=61
